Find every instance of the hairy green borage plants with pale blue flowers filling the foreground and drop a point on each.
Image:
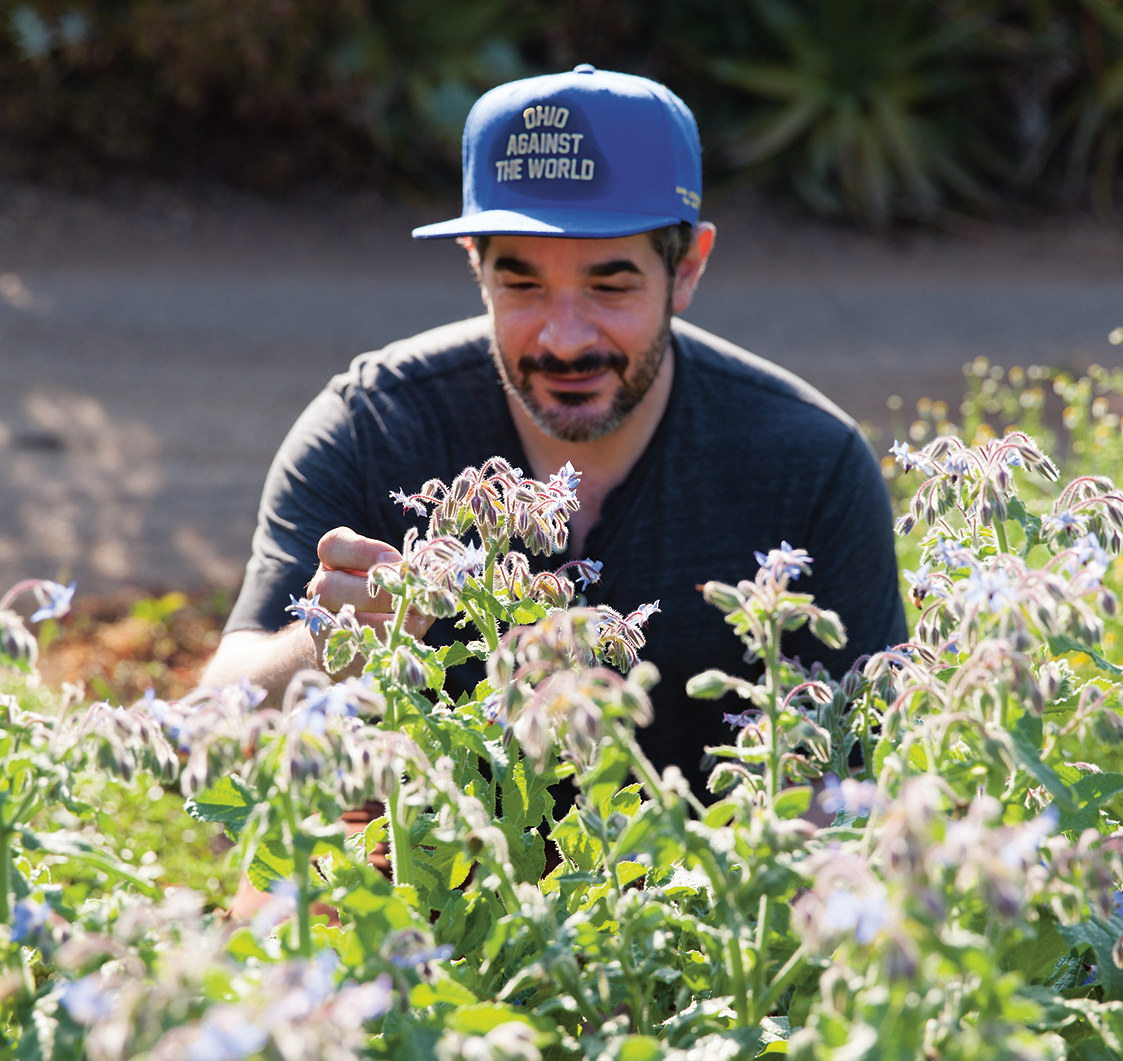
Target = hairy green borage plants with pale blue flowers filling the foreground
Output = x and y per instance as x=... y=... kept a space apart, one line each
x=962 y=903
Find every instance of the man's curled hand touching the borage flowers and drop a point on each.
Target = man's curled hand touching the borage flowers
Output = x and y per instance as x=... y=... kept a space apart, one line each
x=345 y=559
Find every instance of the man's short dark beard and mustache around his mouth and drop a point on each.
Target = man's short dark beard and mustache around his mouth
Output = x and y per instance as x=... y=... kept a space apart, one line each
x=572 y=422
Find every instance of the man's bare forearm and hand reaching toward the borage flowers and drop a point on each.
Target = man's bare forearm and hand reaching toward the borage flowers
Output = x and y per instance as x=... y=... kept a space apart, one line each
x=271 y=660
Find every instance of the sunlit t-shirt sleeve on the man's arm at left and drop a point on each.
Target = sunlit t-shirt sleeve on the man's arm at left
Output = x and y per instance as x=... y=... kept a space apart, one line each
x=314 y=486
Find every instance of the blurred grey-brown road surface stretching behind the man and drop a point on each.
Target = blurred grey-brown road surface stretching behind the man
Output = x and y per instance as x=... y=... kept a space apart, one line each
x=157 y=344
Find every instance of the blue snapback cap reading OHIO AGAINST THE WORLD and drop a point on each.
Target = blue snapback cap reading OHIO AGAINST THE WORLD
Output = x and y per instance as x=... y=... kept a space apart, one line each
x=588 y=154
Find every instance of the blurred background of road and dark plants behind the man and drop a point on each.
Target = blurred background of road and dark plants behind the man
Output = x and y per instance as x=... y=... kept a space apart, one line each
x=205 y=213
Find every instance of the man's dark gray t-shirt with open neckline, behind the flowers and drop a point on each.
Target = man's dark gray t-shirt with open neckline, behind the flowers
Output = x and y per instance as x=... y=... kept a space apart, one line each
x=746 y=456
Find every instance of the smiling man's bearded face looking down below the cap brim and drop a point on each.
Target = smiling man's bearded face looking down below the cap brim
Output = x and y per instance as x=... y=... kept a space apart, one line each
x=581 y=327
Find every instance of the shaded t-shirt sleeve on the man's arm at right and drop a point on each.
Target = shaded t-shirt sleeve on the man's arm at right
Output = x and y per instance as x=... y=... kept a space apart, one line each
x=854 y=572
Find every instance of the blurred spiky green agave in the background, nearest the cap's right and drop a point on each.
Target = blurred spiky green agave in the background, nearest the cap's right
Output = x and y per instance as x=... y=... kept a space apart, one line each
x=862 y=95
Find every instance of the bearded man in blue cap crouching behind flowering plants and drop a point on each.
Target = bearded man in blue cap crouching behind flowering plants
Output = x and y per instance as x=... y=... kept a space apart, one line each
x=581 y=206
